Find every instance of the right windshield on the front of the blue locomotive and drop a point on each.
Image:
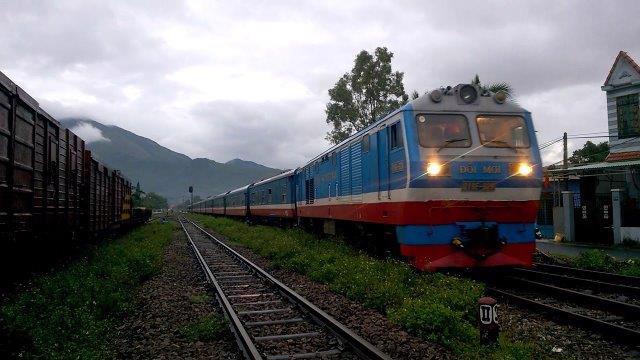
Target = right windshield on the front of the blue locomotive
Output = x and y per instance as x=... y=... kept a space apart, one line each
x=503 y=131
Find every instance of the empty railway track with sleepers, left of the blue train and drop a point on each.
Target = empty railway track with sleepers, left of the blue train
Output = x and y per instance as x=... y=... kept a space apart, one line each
x=267 y=318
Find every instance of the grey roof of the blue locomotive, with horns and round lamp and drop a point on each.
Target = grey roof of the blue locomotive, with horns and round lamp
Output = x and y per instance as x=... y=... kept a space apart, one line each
x=449 y=103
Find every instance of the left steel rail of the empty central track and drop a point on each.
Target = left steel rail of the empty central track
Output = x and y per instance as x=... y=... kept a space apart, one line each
x=242 y=336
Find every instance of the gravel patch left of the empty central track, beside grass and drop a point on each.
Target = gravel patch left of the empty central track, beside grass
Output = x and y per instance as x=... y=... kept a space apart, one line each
x=176 y=297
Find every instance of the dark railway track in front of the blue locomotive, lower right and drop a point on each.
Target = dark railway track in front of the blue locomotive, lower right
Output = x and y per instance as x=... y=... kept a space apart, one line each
x=605 y=302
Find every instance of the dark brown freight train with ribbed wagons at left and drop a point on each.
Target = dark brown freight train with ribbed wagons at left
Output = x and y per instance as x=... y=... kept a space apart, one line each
x=52 y=190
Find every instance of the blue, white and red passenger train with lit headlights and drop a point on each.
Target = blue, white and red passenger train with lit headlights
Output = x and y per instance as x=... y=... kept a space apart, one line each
x=452 y=179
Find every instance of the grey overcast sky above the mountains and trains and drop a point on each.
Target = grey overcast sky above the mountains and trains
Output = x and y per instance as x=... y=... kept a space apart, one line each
x=245 y=79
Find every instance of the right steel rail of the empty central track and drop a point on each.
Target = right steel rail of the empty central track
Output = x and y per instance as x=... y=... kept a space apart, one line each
x=360 y=346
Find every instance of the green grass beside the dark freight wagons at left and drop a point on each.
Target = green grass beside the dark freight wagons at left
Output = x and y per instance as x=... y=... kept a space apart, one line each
x=71 y=312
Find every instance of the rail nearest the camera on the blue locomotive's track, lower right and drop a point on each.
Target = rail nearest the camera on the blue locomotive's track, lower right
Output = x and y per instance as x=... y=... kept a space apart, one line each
x=619 y=332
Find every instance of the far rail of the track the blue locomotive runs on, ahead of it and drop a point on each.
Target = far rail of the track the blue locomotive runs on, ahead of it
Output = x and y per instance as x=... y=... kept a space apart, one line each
x=627 y=310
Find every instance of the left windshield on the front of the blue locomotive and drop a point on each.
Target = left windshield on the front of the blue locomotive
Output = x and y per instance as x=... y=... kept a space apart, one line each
x=443 y=130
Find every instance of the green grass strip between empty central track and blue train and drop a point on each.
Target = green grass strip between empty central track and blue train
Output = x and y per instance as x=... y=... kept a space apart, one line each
x=436 y=307
